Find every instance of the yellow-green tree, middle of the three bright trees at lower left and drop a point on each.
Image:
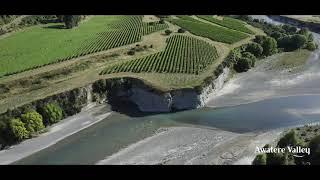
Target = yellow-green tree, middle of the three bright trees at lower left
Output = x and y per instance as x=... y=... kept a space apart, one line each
x=33 y=121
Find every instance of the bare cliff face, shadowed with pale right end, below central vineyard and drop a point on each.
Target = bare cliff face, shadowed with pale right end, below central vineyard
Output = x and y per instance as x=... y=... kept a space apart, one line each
x=149 y=100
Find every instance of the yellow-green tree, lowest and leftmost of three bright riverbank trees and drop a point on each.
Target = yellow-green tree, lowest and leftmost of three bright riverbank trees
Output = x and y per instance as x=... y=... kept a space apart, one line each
x=18 y=129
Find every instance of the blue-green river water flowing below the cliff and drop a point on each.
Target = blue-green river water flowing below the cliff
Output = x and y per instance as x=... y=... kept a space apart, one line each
x=118 y=131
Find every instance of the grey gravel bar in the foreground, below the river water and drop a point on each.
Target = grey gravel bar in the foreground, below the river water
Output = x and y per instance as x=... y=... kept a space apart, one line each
x=193 y=145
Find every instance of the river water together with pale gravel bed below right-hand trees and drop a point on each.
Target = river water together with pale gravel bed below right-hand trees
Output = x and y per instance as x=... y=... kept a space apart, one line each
x=268 y=101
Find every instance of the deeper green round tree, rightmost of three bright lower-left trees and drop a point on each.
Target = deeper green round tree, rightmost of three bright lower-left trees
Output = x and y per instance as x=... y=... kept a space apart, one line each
x=52 y=113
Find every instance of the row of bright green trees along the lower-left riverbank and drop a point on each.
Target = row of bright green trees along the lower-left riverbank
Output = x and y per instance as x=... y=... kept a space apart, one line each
x=31 y=122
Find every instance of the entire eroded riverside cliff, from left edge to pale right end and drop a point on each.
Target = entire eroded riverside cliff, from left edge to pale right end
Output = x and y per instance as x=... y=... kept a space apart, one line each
x=133 y=90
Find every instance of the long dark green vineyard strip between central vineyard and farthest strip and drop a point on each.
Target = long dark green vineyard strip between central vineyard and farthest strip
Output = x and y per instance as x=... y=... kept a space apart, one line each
x=212 y=32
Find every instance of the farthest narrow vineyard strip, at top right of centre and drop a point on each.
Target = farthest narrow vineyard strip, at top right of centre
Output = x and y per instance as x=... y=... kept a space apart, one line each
x=228 y=22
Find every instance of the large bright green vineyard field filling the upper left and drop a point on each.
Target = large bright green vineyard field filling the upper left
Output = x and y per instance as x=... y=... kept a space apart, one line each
x=45 y=44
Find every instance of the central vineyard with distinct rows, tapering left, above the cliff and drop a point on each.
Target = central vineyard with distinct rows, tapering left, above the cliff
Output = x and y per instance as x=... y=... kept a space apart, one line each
x=183 y=54
